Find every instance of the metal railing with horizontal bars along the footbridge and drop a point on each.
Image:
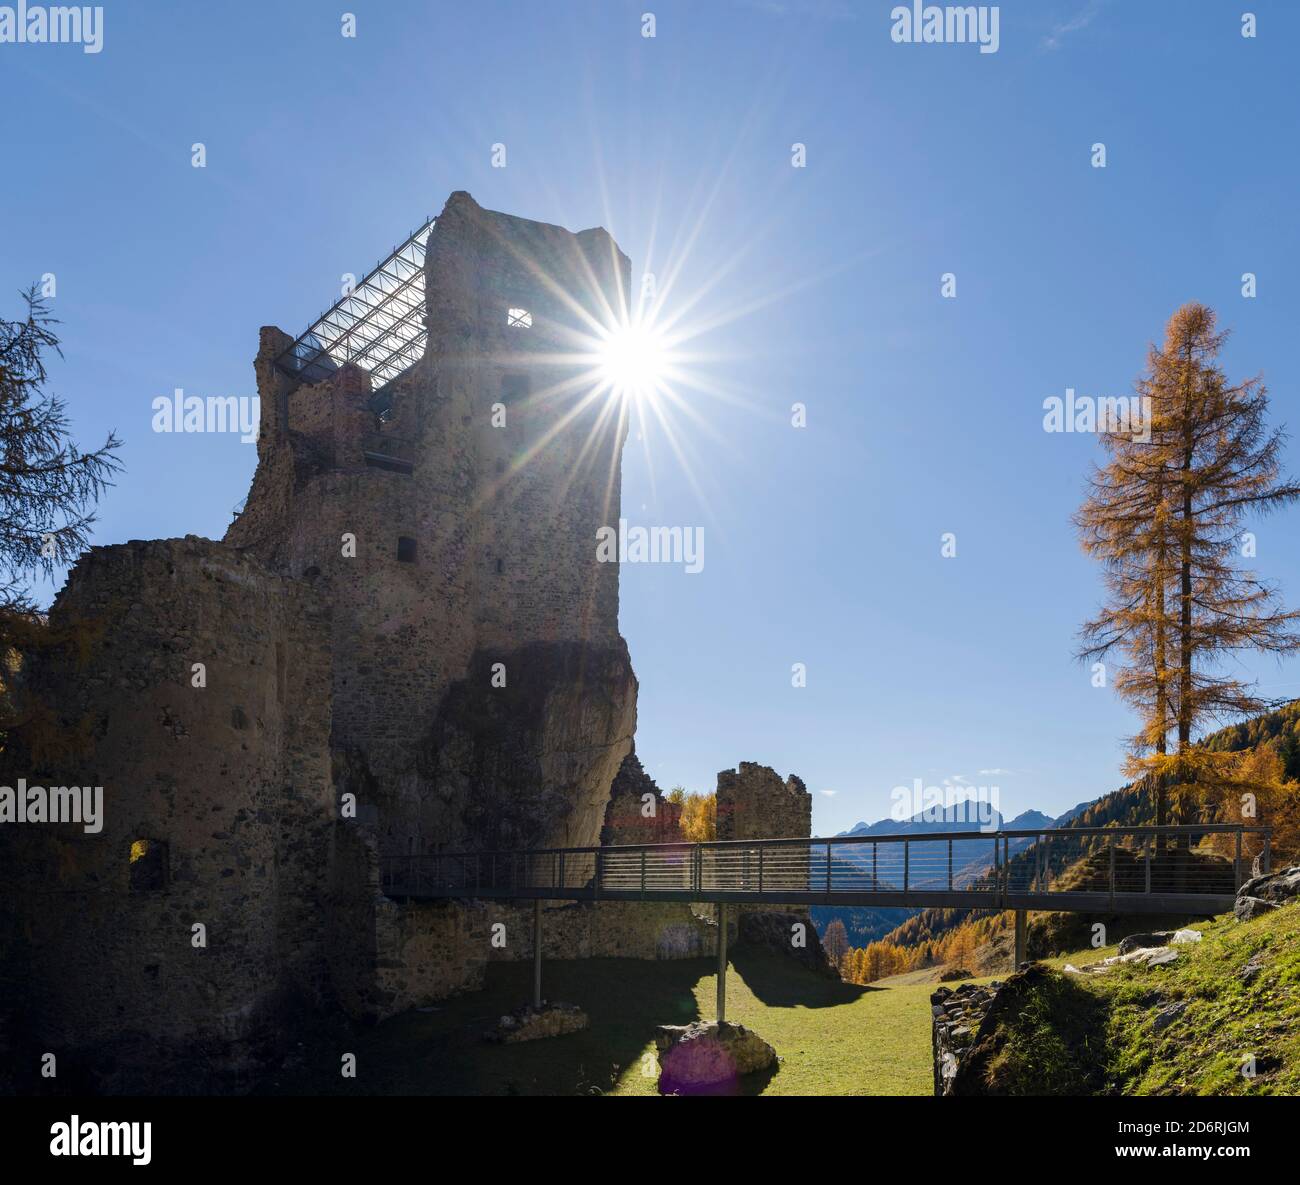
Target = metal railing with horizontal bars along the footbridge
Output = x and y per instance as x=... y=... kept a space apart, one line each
x=1212 y=860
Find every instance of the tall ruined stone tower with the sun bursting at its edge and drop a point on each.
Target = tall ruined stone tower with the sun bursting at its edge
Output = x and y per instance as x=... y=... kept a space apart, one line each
x=474 y=488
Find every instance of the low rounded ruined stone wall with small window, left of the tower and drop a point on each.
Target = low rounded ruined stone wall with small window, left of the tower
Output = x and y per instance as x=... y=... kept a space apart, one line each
x=232 y=780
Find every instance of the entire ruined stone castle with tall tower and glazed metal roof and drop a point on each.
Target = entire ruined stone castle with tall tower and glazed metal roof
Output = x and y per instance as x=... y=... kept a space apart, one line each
x=404 y=645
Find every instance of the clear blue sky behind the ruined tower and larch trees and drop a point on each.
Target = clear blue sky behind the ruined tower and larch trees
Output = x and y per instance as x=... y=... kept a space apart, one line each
x=817 y=285
